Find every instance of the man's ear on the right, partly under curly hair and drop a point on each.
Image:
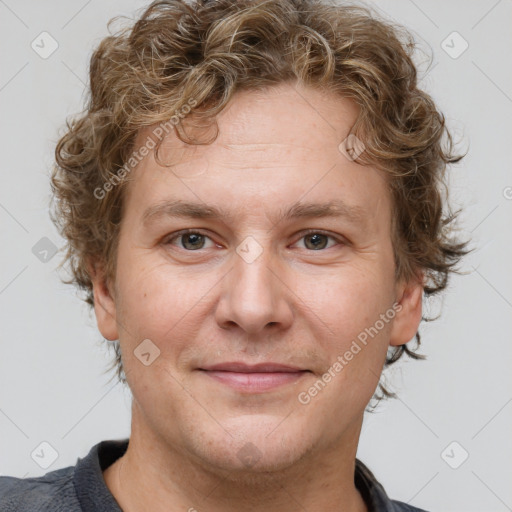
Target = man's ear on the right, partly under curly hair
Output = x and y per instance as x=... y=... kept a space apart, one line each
x=408 y=315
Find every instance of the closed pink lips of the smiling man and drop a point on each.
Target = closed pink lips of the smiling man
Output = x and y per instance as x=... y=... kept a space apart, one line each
x=256 y=378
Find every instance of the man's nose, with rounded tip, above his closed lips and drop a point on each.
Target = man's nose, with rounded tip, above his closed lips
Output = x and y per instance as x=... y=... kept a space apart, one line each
x=254 y=296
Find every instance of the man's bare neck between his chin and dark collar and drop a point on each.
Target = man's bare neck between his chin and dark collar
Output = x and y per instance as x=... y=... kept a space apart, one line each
x=154 y=476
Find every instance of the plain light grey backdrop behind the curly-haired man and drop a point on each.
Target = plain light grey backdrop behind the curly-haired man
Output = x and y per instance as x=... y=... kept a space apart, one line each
x=457 y=404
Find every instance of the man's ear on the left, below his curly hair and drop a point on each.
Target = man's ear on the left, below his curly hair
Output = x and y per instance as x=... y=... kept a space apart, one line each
x=104 y=304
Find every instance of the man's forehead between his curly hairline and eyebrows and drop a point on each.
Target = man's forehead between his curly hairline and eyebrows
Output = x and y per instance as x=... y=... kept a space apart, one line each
x=274 y=146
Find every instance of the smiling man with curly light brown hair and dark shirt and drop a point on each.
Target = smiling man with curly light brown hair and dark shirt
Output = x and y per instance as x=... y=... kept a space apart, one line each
x=252 y=205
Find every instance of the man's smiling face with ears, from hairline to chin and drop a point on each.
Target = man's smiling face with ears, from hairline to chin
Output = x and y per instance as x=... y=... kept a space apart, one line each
x=256 y=287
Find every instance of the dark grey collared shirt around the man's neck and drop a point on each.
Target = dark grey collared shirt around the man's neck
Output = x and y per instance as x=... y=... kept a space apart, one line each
x=81 y=488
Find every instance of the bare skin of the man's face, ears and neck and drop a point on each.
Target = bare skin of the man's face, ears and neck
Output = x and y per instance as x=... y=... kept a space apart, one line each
x=293 y=305
